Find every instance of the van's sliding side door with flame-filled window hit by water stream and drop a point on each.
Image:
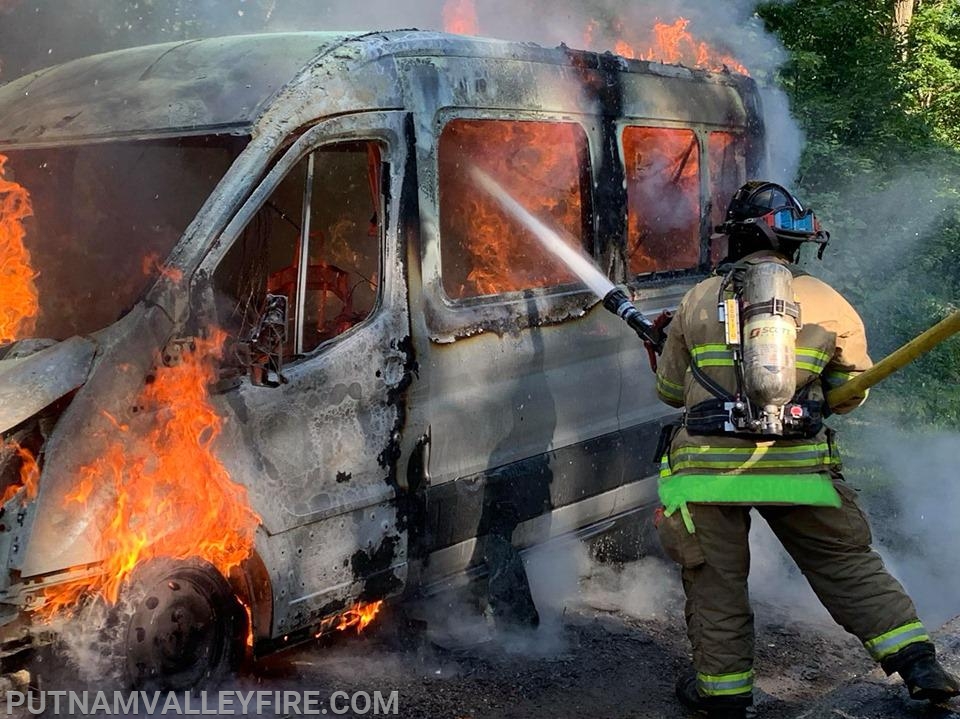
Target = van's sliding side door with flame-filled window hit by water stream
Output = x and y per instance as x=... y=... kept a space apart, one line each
x=522 y=361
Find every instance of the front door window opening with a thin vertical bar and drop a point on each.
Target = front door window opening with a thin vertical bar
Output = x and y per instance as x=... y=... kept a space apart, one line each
x=316 y=242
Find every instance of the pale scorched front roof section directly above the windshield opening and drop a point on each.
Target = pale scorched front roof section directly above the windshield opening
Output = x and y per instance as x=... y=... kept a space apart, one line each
x=220 y=84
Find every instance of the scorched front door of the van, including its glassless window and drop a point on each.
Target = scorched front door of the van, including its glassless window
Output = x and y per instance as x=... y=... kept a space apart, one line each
x=309 y=281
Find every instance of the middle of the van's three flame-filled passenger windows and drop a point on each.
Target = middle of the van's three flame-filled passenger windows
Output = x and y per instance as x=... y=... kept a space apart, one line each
x=663 y=199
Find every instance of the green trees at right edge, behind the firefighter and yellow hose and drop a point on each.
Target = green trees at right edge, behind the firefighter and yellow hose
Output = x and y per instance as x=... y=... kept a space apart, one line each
x=882 y=168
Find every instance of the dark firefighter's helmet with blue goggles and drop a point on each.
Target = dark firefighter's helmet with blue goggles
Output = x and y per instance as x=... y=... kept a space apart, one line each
x=769 y=211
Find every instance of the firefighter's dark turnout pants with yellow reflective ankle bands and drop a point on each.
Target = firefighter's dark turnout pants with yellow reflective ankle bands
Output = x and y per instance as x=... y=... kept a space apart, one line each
x=832 y=548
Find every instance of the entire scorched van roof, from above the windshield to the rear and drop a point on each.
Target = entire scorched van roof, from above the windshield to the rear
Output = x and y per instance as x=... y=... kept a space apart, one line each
x=224 y=85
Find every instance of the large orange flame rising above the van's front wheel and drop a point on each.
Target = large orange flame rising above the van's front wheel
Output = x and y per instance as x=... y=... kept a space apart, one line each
x=173 y=497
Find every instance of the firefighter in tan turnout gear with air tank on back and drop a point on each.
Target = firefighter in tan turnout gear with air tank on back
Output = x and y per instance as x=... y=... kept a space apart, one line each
x=740 y=445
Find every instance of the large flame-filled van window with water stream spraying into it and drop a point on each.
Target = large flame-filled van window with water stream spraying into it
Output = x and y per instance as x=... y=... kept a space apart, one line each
x=545 y=166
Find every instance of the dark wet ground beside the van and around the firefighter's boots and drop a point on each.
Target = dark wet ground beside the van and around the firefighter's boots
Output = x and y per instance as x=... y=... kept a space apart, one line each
x=598 y=658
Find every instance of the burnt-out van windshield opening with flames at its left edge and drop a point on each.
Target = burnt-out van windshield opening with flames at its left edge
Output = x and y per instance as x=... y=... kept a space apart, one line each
x=85 y=230
